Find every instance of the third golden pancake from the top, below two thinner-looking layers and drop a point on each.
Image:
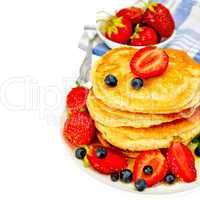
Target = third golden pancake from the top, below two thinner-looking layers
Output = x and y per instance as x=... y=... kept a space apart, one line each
x=155 y=137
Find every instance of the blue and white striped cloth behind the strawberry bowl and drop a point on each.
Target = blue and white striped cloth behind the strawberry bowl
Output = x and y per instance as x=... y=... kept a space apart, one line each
x=187 y=17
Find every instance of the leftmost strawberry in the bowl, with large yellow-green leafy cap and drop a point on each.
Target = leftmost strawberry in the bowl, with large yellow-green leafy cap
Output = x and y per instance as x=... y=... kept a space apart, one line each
x=117 y=29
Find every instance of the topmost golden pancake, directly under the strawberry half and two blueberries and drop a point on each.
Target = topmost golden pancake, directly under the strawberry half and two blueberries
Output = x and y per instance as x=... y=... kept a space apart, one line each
x=175 y=90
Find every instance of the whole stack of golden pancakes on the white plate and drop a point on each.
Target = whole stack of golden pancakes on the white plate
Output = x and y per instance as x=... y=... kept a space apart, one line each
x=165 y=109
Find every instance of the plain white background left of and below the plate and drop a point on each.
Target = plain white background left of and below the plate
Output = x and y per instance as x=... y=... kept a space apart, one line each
x=39 y=59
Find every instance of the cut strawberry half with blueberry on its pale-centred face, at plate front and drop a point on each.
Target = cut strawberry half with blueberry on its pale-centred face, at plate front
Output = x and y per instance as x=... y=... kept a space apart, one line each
x=156 y=161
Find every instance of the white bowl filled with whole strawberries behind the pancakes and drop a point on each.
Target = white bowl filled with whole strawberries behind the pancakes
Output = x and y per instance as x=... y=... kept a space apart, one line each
x=151 y=24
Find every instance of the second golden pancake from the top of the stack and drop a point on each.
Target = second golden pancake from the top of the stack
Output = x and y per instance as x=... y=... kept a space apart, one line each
x=116 y=118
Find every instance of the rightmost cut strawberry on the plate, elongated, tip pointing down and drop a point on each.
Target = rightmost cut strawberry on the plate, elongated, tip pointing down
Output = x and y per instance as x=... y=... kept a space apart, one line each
x=181 y=162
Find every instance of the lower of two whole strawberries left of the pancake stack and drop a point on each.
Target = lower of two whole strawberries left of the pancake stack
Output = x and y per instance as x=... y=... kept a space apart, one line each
x=79 y=129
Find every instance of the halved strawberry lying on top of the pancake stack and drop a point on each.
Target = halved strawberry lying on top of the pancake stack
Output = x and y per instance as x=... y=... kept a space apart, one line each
x=149 y=62
